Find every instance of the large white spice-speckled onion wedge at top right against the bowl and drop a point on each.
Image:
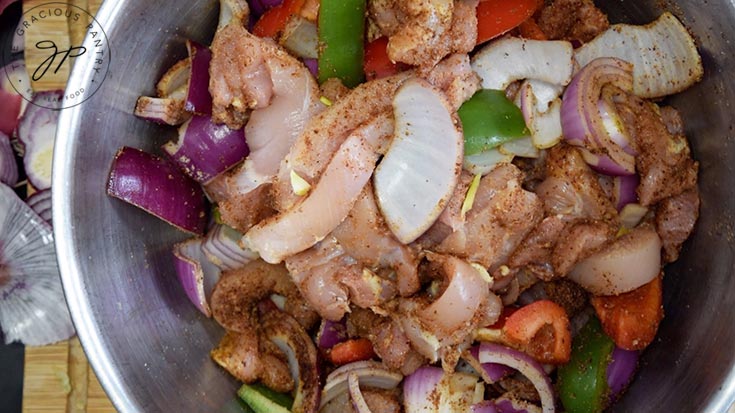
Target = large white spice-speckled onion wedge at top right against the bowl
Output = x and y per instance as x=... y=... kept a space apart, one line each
x=664 y=56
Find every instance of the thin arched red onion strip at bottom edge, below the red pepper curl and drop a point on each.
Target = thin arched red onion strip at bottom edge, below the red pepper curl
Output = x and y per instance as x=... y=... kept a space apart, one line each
x=495 y=353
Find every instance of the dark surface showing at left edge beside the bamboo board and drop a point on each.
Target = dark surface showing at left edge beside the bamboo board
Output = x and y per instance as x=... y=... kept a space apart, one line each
x=11 y=356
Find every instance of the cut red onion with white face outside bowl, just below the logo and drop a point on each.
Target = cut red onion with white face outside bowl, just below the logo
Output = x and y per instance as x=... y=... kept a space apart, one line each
x=37 y=133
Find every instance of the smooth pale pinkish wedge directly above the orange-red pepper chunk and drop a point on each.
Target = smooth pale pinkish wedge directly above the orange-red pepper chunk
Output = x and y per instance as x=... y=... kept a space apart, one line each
x=630 y=261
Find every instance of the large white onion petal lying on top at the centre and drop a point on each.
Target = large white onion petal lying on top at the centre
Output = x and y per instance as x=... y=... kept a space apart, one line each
x=418 y=173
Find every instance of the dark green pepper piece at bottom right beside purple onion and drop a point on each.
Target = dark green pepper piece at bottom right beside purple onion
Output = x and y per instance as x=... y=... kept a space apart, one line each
x=582 y=382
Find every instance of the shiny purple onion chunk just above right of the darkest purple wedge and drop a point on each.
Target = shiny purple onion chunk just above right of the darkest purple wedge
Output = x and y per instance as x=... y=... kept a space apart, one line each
x=204 y=149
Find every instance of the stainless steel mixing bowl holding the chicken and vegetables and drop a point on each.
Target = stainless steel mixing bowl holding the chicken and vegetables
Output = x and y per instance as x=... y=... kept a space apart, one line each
x=150 y=347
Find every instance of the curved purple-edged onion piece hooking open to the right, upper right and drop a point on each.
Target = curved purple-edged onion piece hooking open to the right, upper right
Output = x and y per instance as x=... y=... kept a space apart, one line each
x=583 y=124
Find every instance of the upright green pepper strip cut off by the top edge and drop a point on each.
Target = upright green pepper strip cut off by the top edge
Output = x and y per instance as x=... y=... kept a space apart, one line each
x=341 y=41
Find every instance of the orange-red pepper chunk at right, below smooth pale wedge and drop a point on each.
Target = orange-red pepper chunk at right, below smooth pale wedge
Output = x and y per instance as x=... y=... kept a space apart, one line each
x=631 y=319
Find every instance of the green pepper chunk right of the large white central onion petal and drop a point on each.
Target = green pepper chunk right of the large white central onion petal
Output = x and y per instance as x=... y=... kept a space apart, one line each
x=489 y=119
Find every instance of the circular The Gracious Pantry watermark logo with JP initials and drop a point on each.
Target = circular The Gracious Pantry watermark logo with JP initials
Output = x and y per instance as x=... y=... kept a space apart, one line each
x=50 y=55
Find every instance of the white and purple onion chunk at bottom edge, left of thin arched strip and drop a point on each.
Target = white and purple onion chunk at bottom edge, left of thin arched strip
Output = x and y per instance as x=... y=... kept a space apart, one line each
x=431 y=390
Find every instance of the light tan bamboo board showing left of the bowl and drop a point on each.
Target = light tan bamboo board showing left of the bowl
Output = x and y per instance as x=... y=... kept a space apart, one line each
x=58 y=378
